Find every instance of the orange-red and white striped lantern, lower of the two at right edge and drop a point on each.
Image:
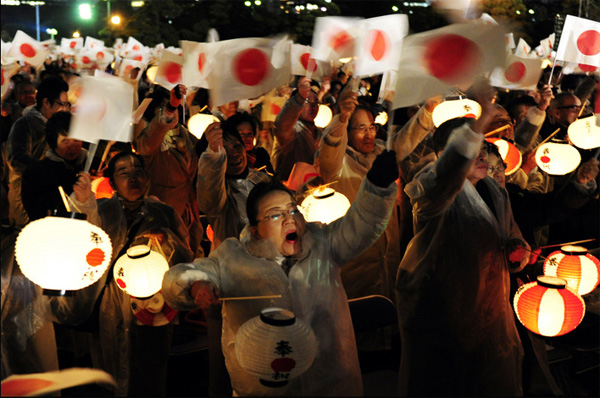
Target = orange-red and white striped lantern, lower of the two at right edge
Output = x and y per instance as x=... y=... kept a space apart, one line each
x=548 y=307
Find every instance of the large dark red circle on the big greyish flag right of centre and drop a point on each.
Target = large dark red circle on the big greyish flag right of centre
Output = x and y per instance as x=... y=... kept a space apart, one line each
x=451 y=57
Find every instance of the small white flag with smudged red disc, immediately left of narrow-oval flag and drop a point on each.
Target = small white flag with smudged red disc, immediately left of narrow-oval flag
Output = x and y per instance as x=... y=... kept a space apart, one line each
x=334 y=38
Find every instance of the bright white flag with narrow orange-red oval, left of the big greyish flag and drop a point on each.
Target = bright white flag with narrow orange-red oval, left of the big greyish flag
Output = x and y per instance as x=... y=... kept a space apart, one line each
x=379 y=44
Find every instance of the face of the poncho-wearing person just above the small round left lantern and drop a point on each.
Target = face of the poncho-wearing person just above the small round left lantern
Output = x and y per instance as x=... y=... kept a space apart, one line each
x=130 y=179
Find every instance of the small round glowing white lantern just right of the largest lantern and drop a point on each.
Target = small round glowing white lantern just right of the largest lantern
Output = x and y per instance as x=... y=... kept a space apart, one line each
x=140 y=271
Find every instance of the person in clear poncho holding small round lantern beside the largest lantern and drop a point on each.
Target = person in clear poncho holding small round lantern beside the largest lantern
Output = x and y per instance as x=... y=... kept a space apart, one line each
x=133 y=352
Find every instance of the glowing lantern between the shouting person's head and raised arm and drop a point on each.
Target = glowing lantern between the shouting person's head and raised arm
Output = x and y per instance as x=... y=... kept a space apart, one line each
x=324 y=205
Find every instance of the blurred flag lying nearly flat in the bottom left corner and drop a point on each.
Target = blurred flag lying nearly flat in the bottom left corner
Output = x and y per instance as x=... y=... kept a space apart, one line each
x=35 y=384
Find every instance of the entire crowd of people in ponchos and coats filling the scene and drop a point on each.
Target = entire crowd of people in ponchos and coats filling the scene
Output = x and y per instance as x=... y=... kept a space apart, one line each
x=434 y=225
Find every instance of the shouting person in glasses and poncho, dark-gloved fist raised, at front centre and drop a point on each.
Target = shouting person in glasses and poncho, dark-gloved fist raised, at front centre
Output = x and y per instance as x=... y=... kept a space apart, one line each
x=278 y=253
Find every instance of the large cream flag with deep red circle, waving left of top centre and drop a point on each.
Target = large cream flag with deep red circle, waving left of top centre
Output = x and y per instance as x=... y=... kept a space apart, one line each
x=246 y=68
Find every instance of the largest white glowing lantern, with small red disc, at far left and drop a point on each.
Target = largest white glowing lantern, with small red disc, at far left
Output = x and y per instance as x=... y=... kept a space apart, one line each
x=63 y=254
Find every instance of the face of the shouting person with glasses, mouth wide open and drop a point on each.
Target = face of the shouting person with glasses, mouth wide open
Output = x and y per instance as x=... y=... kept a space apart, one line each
x=280 y=221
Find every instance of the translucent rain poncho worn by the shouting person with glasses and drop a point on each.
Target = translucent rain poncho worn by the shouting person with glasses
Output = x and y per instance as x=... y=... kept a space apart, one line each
x=312 y=291
